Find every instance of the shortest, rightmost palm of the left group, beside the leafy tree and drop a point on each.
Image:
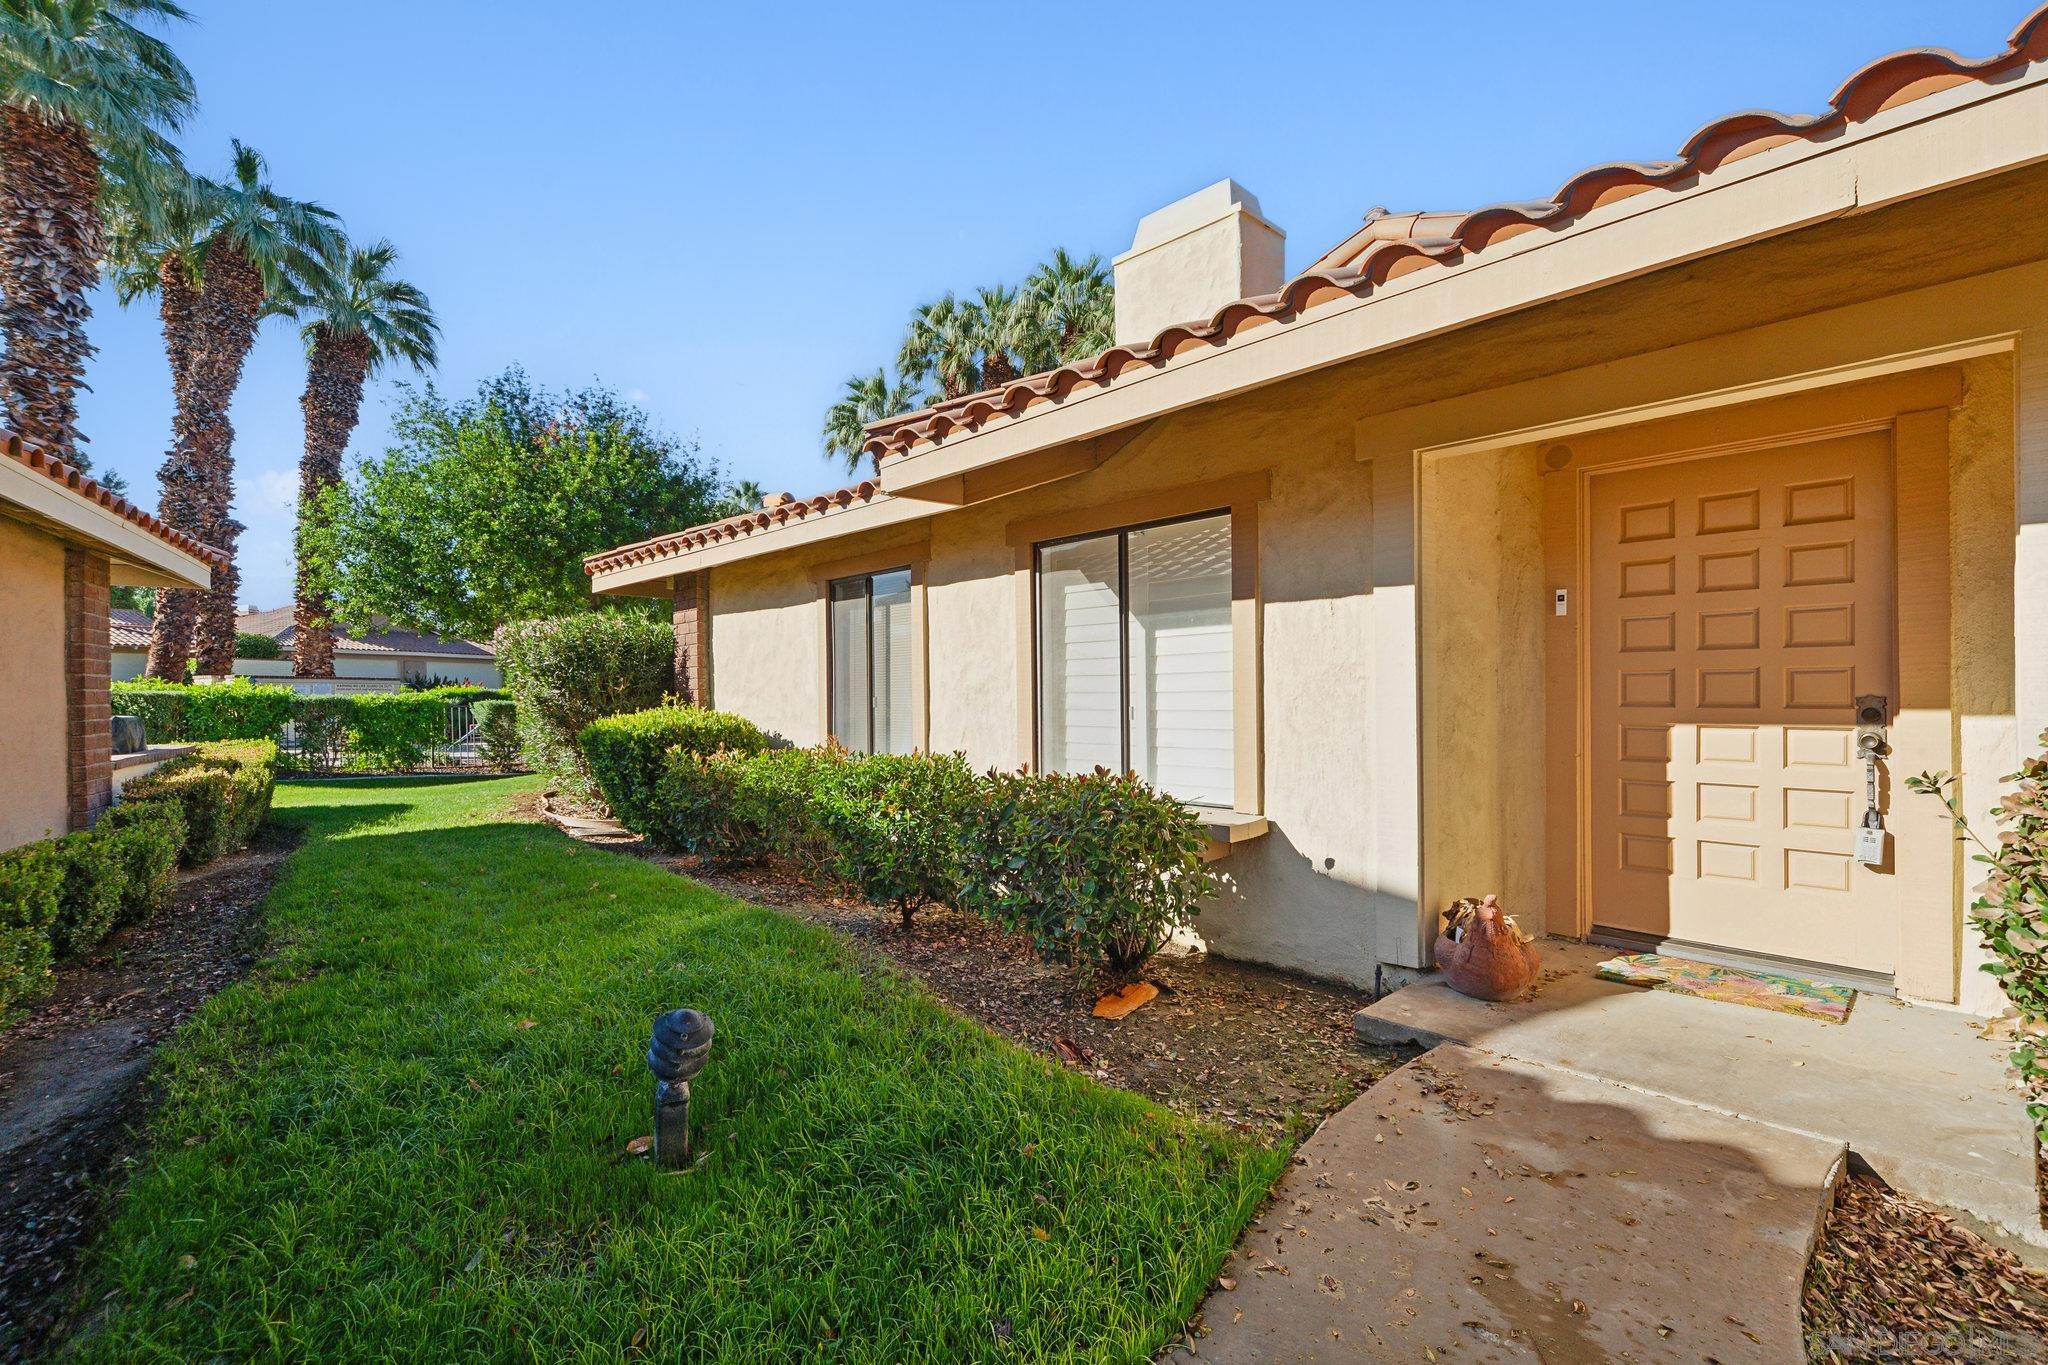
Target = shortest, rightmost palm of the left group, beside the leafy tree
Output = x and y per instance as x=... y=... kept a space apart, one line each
x=357 y=320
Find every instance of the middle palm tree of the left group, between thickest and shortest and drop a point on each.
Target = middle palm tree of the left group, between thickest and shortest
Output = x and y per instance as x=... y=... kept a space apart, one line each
x=251 y=253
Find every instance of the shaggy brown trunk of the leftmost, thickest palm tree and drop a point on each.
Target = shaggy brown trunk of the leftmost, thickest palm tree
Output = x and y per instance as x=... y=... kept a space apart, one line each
x=50 y=257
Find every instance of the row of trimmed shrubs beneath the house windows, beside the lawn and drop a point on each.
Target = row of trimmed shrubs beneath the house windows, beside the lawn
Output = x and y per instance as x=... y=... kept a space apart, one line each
x=1097 y=869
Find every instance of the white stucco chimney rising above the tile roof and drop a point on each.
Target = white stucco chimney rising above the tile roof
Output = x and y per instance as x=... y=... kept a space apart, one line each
x=1195 y=257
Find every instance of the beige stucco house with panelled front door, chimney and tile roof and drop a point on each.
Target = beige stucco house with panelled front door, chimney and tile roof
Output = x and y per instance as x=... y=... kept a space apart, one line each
x=1543 y=549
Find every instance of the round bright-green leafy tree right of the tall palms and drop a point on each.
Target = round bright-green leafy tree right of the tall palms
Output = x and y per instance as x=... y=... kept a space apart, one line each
x=484 y=509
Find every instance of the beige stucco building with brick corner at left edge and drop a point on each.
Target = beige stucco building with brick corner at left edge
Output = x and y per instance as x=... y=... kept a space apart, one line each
x=62 y=543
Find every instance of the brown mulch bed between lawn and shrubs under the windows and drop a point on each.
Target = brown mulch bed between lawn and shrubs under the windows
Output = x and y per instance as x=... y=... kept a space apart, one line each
x=1258 y=1051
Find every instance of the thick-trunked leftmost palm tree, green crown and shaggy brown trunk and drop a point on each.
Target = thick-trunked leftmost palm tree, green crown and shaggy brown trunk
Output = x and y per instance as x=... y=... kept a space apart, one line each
x=85 y=97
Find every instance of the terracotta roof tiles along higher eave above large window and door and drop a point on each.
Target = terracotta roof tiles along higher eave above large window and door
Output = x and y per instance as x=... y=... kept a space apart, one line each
x=1445 y=240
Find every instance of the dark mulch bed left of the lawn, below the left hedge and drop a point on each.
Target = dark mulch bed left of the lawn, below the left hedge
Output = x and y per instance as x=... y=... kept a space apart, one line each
x=75 y=1075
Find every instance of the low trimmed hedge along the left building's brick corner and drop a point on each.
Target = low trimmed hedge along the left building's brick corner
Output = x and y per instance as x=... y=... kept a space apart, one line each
x=60 y=897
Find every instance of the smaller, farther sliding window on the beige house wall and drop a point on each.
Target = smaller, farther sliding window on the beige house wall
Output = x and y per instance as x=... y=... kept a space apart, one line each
x=871 y=662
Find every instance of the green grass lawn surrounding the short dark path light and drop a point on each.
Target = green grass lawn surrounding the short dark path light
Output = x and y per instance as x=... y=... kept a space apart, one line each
x=364 y=1153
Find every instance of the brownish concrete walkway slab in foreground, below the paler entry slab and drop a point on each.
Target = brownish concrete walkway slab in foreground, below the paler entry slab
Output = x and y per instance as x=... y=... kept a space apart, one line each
x=1478 y=1208
